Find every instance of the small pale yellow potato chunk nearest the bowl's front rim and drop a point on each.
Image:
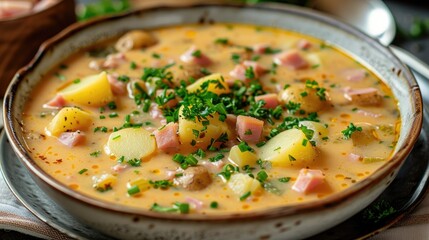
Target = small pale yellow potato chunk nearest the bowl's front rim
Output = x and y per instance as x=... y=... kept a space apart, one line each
x=241 y=184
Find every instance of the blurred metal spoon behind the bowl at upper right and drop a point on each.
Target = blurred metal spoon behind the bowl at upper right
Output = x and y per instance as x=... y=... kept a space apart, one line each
x=374 y=18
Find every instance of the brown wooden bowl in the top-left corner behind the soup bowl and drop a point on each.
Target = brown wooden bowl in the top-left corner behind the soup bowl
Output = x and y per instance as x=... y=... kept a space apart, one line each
x=21 y=36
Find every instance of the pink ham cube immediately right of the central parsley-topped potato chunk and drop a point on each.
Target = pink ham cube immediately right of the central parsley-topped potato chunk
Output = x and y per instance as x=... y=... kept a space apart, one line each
x=249 y=129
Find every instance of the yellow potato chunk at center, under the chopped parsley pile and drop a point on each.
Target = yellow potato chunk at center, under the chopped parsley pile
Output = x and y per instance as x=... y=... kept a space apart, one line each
x=213 y=131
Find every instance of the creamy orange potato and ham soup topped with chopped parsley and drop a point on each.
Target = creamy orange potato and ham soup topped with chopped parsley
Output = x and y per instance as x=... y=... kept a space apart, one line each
x=210 y=119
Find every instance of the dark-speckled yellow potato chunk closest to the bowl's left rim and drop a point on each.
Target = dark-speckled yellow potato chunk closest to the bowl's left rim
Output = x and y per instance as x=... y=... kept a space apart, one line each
x=69 y=119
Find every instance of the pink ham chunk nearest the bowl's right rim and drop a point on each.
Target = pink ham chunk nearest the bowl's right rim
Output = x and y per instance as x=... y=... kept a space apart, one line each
x=364 y=96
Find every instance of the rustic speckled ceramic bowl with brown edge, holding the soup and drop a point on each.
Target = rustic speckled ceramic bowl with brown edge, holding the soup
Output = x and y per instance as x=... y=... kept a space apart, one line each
x=287 y=222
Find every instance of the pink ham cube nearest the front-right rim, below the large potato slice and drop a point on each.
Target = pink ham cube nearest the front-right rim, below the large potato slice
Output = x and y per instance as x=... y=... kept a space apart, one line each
x=308 y=179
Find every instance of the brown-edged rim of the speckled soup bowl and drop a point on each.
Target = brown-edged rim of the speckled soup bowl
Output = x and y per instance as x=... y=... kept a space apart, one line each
x=269 y=213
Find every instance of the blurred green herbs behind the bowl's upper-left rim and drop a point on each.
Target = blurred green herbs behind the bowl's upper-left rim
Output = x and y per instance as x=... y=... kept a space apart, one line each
x=102 y=7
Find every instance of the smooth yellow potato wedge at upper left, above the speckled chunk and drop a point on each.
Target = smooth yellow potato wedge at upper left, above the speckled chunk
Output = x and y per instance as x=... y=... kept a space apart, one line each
x=90 y=91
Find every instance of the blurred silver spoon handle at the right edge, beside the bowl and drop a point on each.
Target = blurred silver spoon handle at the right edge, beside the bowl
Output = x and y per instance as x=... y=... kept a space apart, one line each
x=419 y=68
